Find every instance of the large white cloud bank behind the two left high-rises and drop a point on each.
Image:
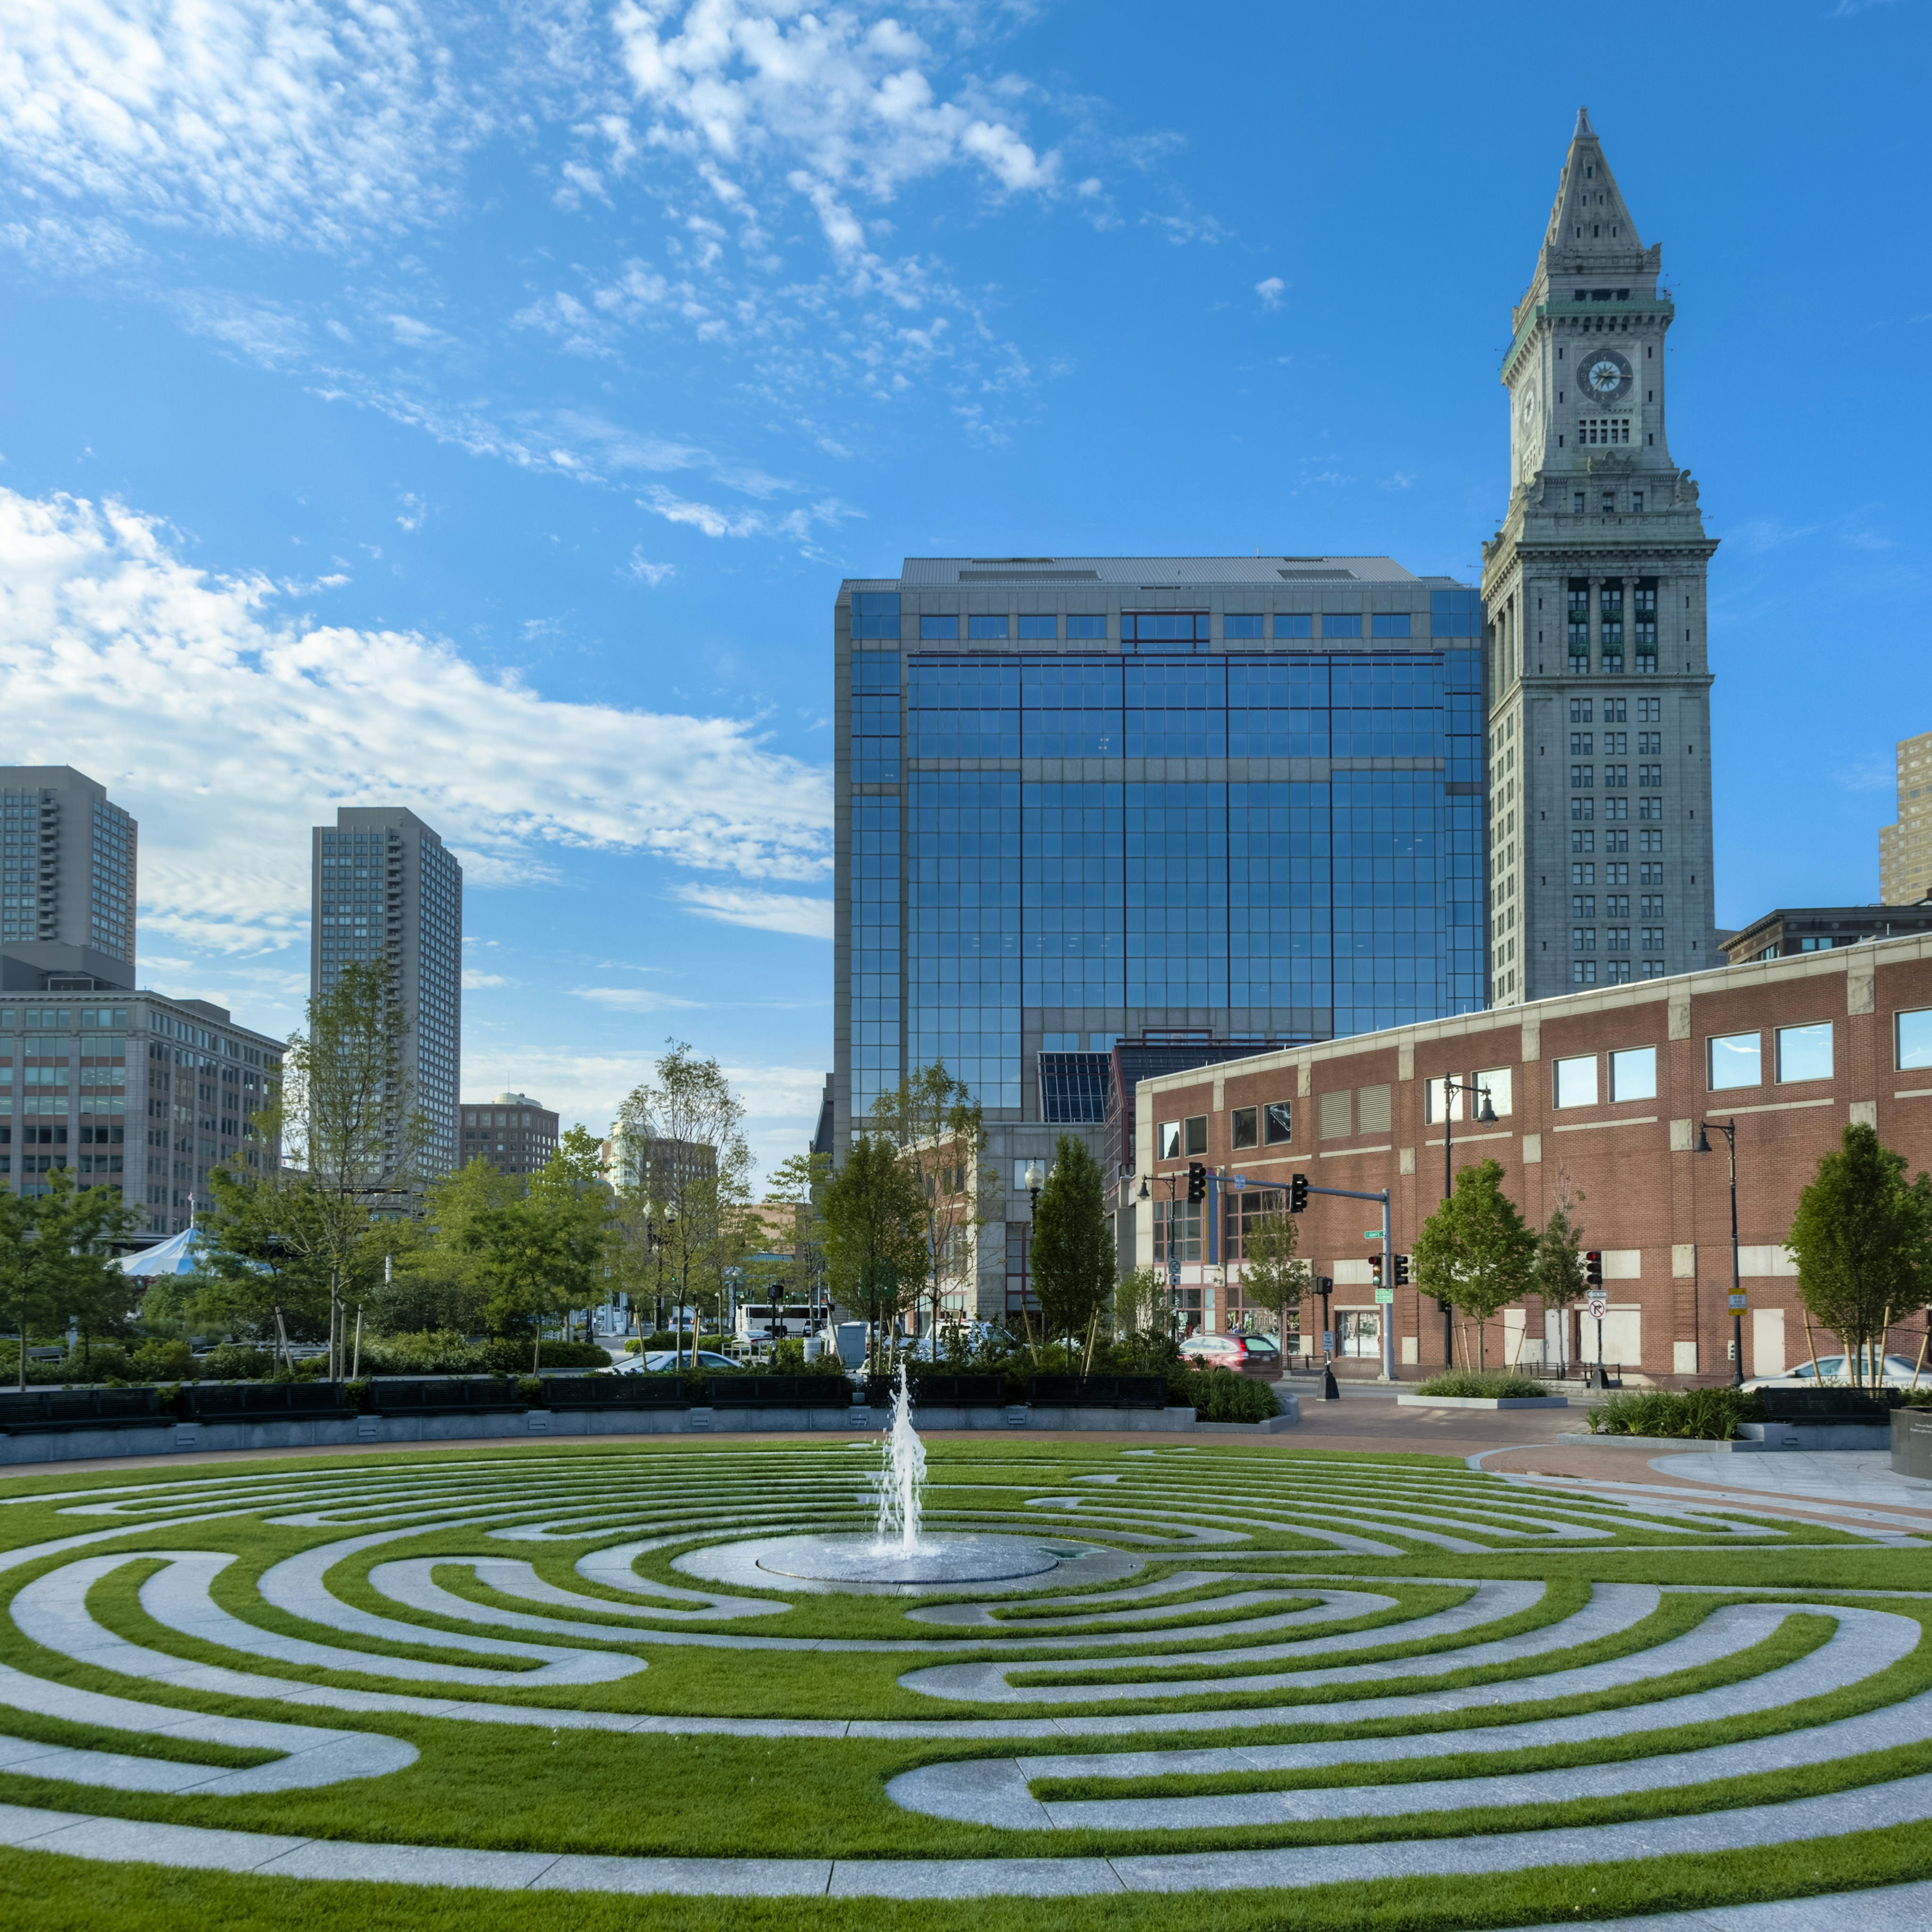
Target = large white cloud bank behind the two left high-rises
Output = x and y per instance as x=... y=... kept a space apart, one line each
x=111 y=644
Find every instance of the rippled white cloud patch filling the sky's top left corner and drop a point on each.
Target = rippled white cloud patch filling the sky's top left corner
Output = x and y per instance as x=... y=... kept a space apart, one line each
x=262 y=119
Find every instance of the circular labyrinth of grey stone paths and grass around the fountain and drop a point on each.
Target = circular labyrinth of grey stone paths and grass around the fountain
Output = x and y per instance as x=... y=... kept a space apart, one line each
x=1295 y=1688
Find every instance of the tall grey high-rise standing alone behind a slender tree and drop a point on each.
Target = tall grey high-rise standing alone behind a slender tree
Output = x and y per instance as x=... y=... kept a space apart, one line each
x=387 y=890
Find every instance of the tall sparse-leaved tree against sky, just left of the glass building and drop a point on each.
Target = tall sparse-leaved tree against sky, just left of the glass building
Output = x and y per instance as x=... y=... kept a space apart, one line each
x=696 y=1176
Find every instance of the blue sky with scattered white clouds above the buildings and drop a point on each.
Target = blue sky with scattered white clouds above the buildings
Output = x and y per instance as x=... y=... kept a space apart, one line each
x=476 y=407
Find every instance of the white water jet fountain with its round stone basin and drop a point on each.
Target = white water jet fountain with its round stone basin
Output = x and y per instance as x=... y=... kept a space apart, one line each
x=899 y=1552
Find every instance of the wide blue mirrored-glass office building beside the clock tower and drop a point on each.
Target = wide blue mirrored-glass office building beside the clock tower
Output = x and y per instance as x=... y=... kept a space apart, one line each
x=1085 y=799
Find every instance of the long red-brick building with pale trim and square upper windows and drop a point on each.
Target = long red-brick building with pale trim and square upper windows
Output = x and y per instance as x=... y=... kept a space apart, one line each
x=1599 y=1094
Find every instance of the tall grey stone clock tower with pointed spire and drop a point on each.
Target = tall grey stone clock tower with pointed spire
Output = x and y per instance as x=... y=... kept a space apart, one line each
x=1601 y=841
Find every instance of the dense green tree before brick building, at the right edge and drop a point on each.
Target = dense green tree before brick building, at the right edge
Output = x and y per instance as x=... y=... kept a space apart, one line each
x=1863 y=1241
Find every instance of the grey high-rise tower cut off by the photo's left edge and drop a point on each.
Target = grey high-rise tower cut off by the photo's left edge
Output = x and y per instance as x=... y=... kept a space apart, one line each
x=67 y=872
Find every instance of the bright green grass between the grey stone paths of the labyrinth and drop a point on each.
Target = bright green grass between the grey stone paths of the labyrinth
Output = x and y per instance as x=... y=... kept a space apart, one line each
x=1270 y=1518
